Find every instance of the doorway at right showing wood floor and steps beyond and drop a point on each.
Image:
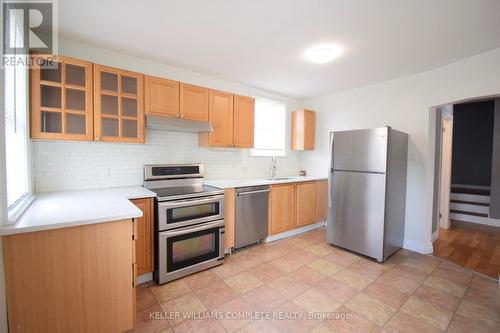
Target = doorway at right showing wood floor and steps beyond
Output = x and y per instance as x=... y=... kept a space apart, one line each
x=466 y=227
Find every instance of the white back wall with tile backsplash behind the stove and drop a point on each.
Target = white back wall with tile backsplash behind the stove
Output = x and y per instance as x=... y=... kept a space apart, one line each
x=81 y=165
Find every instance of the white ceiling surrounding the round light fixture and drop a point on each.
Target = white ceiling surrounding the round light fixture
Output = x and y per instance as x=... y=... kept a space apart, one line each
x=261 y=43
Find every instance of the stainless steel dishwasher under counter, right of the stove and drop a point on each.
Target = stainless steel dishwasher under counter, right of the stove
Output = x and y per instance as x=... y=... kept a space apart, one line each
x=251 y=215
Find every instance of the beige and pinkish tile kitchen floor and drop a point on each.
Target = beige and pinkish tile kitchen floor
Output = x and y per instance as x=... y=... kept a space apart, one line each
x=301 y=275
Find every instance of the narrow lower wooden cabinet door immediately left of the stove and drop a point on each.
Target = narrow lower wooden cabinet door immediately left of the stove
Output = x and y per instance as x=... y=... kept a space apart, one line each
x=144 y=236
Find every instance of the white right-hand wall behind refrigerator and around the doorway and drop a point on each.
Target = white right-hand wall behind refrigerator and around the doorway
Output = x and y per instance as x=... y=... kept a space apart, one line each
x=405 y=105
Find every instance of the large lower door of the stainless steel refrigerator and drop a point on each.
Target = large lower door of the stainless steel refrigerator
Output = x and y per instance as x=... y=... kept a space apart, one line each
x=356 y=218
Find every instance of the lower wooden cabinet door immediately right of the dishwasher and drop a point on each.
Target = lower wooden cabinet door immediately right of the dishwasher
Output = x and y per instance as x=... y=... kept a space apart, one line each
x=281 y=208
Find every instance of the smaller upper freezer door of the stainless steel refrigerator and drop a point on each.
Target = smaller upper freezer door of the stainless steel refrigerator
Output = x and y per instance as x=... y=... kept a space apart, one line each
x=360 y=150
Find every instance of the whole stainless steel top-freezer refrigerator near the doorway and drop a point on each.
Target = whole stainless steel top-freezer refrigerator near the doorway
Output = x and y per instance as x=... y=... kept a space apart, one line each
x=367 y=191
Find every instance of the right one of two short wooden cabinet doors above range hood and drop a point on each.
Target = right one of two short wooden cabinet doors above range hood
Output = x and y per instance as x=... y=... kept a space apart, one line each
x=193 y=102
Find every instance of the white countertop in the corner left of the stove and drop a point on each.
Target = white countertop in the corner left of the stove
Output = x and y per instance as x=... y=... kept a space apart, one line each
x=53 y=210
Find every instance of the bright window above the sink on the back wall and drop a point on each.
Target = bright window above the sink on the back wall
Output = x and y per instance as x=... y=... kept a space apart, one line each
x=270 y=127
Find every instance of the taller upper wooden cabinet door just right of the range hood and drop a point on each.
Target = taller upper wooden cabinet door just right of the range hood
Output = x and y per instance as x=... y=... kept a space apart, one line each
x=221 y=119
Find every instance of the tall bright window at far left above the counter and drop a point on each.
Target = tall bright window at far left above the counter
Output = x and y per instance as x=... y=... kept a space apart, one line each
x=16 y=138
